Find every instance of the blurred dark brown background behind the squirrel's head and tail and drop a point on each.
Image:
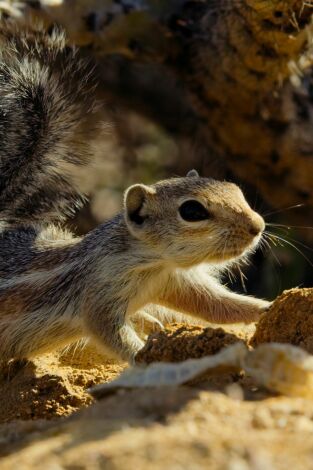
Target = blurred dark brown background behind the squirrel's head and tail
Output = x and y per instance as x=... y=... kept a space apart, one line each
x=222 y=86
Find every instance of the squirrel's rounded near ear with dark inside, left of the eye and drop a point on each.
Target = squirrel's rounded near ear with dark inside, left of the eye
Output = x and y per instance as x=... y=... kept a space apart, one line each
x=134 y=199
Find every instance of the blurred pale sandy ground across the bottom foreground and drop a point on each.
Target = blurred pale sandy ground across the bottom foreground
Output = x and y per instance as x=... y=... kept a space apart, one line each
x=185 y=428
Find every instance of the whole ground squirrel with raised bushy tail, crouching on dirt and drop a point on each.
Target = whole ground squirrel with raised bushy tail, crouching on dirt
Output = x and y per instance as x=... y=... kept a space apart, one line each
x=166 y=248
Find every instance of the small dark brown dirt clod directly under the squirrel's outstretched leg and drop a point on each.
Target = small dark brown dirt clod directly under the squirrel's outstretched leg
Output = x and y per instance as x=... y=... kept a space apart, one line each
x=179 y=342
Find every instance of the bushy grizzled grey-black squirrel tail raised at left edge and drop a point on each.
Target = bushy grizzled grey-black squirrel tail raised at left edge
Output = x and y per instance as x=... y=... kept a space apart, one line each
x=47 y=120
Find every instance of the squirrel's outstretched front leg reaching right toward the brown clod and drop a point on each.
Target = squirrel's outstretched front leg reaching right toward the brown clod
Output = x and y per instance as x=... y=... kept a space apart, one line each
x=211 y=301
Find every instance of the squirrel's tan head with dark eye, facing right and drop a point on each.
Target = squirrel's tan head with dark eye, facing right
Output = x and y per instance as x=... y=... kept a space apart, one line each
x=192 y=220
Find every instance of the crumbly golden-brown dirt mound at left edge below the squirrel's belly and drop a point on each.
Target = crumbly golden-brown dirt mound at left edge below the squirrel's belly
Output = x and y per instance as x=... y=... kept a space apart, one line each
x=52 y=385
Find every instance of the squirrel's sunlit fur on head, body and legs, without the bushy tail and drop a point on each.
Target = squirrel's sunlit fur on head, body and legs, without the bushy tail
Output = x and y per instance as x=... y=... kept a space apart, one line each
x=55 y=289
